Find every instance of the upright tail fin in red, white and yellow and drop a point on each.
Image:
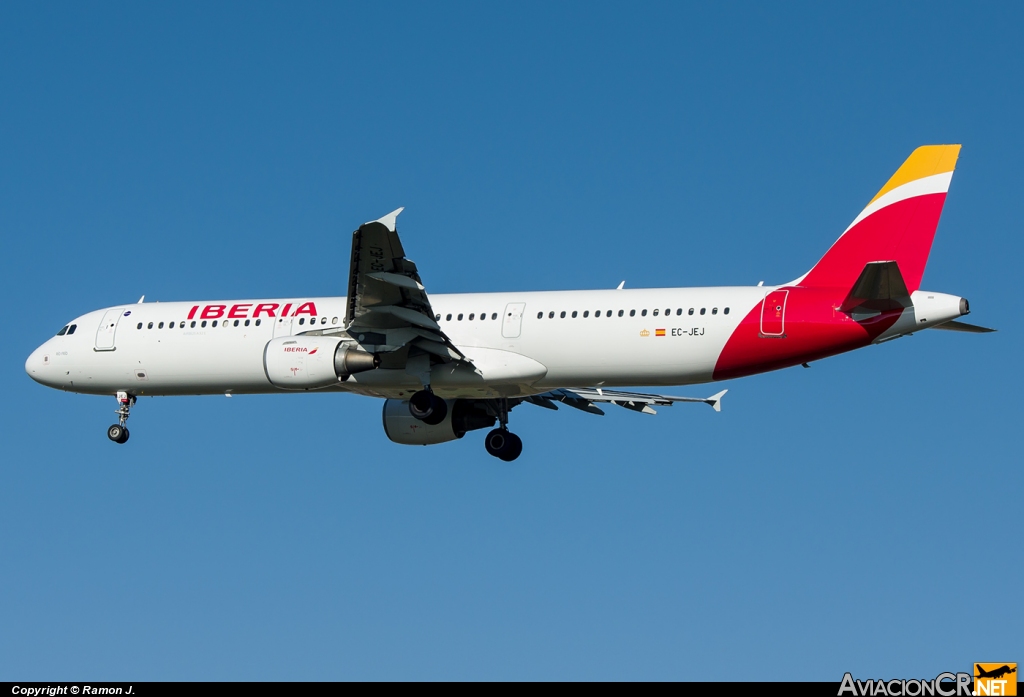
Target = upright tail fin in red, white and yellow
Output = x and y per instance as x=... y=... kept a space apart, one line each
x=898 y=226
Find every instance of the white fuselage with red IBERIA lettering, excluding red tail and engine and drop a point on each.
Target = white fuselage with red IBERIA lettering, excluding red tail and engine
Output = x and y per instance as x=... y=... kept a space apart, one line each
x=606 y=338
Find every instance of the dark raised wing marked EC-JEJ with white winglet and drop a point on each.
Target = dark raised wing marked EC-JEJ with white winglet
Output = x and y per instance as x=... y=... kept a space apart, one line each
x=389 y=310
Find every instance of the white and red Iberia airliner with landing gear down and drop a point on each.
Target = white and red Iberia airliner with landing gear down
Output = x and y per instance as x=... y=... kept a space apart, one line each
x=447 y=365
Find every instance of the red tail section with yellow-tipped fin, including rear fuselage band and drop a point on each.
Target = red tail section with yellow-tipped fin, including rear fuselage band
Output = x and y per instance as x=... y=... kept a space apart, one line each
x=875 y=268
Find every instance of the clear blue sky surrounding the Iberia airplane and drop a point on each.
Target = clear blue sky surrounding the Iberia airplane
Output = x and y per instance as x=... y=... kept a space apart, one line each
x=857 y=516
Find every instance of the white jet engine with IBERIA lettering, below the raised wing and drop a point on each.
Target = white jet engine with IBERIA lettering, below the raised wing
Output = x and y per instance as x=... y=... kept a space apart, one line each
x=308 y=363
